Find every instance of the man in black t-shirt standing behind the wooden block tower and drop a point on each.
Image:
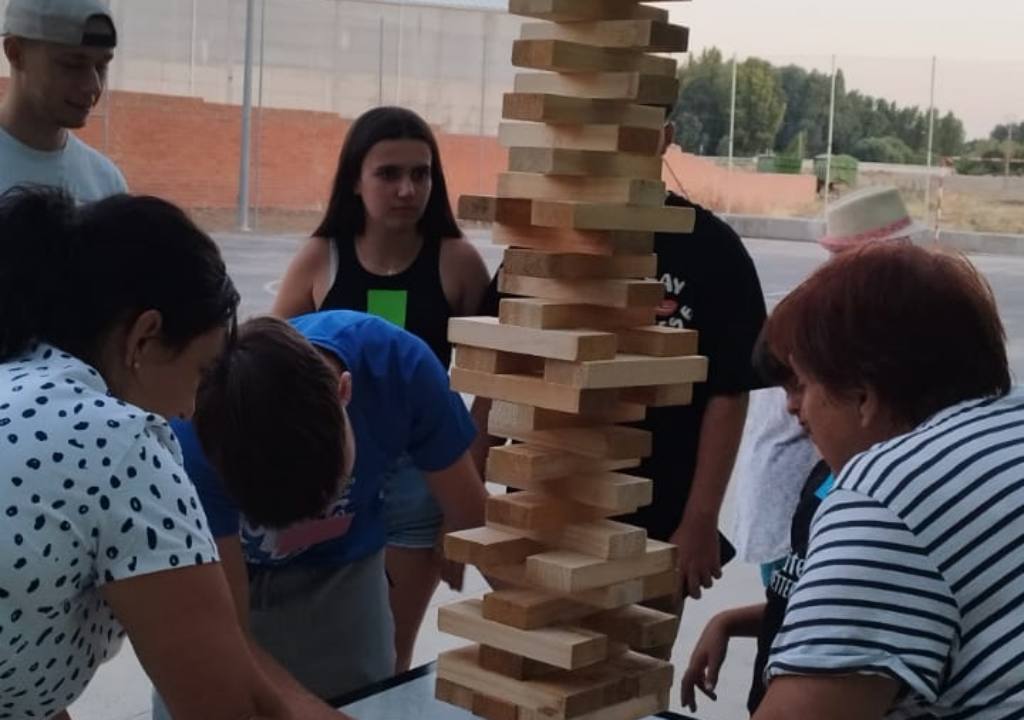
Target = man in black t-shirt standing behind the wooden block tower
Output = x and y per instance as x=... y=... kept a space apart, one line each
x=711 y=286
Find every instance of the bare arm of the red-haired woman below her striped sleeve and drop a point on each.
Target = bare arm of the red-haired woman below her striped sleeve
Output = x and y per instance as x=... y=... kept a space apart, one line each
x=842 y=698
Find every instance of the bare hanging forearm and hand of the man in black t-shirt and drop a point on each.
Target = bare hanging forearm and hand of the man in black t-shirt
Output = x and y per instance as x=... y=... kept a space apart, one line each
x=721 y=432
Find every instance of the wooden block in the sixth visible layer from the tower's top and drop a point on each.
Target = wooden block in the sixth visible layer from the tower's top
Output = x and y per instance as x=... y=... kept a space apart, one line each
x=610 y=139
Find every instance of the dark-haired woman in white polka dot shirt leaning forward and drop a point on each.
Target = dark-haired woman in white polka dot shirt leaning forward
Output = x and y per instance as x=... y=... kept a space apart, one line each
x=109 y=316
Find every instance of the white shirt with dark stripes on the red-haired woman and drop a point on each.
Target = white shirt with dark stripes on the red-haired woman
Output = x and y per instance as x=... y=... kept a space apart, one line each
x=916 y=569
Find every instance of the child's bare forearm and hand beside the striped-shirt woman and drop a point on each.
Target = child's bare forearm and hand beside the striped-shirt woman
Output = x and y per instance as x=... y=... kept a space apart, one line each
x=709 y=654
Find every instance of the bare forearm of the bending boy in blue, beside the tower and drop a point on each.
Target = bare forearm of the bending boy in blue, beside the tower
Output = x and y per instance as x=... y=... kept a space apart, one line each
x=460 y=494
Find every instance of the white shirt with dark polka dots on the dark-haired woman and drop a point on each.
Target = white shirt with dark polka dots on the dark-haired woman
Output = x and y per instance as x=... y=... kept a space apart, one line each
x=93 y=491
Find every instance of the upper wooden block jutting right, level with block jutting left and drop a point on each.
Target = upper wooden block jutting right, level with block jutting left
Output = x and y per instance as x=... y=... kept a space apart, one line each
x=589 y=217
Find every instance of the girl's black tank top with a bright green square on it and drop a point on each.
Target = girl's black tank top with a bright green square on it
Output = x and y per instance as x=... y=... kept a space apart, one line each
x=414 y=299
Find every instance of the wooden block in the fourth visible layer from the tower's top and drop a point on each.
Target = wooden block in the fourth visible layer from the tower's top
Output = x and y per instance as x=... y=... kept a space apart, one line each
x=644 y=90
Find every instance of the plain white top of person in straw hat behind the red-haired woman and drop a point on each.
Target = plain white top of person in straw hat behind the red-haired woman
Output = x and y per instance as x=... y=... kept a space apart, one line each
x=775 y=461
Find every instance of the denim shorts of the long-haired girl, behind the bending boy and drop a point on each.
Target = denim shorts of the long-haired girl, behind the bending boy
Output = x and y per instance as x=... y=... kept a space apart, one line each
x=413 y=517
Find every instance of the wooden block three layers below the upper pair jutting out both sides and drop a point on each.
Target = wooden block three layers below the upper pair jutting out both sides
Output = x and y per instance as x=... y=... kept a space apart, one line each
x=615 y=293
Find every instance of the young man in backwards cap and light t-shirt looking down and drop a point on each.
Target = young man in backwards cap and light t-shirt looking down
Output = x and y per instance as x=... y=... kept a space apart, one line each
x=59 y=53
